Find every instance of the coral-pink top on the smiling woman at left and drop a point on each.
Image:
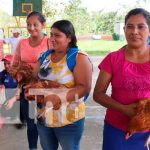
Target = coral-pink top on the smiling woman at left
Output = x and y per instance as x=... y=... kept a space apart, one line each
x=30 y=54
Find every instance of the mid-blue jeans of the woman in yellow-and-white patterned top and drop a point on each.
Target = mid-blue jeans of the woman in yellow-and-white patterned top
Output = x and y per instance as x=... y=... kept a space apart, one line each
x=68 y=136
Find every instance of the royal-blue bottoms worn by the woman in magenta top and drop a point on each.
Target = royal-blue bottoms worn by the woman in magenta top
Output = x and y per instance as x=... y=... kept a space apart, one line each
x=114 y=139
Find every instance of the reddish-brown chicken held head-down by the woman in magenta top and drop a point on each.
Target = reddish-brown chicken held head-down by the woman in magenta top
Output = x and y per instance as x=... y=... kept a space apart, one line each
x=141 y=120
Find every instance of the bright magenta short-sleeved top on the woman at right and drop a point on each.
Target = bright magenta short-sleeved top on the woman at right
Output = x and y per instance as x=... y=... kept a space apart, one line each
x=130 y=83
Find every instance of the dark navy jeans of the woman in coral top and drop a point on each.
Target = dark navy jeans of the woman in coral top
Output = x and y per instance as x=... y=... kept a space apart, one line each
x=32 y=133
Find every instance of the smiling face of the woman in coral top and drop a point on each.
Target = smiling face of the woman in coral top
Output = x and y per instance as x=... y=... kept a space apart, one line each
x=34 y=26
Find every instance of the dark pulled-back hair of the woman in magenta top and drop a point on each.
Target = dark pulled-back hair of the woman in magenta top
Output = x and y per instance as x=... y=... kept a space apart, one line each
x=138 y=11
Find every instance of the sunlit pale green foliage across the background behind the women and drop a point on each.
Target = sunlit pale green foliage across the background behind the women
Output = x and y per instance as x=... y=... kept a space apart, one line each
x=98 y=22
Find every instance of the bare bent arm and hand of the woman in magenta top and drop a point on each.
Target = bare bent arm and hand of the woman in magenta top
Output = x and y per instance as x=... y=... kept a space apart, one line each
x=102 y=98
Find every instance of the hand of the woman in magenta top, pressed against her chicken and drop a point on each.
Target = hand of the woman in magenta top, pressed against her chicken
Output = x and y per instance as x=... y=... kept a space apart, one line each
x=130 y=110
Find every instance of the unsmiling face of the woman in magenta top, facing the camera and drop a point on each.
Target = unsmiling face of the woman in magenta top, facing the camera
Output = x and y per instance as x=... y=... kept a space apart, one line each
x=136 y=31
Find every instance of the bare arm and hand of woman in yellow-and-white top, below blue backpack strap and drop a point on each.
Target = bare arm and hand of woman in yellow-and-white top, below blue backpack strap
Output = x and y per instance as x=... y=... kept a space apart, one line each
x=83 y=79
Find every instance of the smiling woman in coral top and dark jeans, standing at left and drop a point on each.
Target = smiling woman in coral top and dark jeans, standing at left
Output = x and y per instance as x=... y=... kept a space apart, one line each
x=29 y=50
